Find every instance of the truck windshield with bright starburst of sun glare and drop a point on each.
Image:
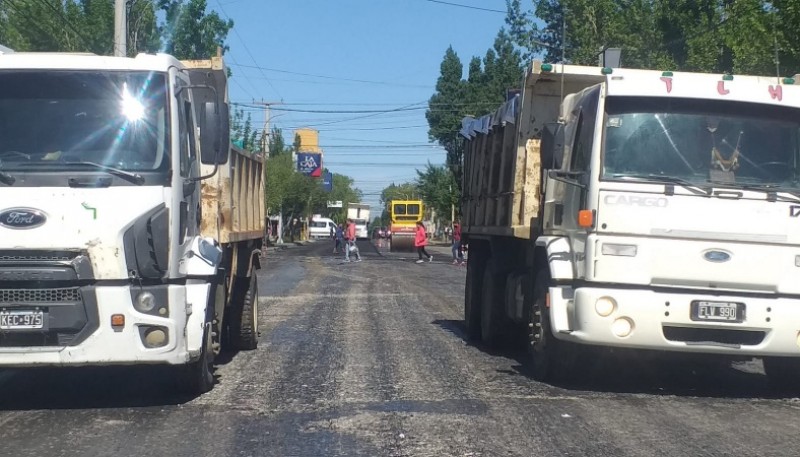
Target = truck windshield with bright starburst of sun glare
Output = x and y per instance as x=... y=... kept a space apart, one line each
x=52 y=118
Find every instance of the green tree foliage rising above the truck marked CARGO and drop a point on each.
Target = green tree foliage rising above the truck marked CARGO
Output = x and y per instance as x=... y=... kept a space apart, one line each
x=689 y=35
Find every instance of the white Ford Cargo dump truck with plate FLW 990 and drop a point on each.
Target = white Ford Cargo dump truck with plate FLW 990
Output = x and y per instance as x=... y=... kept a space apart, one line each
x=624 y=208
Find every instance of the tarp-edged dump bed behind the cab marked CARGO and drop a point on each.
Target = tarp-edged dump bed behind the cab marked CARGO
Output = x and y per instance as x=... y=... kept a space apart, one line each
x=501 y=186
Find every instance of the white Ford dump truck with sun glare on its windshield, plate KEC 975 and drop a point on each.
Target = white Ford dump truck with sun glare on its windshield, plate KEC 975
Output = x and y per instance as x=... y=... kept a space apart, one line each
x=129 y=227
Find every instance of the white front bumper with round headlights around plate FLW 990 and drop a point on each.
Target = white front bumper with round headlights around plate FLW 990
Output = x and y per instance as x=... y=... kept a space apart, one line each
x=661 y=321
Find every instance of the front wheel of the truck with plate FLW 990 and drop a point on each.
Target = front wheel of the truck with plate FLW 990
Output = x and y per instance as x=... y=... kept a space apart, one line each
x=550 y=357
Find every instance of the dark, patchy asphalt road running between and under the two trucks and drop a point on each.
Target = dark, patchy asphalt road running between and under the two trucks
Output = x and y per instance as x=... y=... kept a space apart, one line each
x=369 y=359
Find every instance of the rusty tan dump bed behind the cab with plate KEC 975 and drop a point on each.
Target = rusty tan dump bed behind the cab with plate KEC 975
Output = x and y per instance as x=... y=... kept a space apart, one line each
x=232 y=201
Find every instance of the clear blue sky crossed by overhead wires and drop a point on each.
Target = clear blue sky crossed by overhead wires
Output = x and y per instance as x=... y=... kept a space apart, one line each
x=309 y=51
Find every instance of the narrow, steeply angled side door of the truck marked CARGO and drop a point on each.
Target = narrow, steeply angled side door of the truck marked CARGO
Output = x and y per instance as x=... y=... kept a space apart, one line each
x=582 y=120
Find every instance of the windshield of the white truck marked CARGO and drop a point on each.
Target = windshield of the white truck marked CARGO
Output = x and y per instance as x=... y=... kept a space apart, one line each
x=731 y=143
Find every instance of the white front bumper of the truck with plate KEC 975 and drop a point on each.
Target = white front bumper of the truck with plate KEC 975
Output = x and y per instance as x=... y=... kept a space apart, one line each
x=100 y=343
